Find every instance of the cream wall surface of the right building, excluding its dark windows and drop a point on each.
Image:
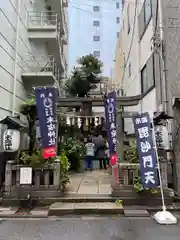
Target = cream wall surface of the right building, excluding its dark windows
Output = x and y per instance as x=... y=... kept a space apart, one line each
x=137 y=51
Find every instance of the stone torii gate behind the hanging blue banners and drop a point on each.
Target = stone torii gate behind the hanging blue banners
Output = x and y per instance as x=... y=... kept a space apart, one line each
x=86 y=104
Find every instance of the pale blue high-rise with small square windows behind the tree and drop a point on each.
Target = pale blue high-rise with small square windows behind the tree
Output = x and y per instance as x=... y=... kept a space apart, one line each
x=94 y=28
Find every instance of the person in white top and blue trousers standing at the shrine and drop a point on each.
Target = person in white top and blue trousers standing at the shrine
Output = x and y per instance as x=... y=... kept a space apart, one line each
x=90 y=151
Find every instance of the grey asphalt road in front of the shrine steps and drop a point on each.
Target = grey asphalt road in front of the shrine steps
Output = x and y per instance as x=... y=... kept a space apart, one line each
x=109 y=228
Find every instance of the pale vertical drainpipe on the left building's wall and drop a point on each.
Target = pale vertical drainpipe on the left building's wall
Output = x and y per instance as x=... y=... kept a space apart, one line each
x=15 y=62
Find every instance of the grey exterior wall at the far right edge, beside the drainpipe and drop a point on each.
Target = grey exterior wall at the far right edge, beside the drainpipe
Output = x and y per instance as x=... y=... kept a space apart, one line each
x=171 y=19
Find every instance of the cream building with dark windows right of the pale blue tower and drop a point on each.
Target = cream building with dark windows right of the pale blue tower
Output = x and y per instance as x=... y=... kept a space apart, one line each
x=134 y=65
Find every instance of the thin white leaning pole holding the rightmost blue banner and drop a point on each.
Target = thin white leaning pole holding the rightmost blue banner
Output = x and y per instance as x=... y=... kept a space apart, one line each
x=158 y=165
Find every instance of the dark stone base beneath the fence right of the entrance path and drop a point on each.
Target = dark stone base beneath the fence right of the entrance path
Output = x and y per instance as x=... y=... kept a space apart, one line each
x=130 y=197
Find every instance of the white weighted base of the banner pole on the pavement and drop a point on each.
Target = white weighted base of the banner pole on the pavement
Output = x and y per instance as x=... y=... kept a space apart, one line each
x=165 y=218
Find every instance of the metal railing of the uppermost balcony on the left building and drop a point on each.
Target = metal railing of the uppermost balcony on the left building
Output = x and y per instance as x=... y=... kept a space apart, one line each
x=42 y=19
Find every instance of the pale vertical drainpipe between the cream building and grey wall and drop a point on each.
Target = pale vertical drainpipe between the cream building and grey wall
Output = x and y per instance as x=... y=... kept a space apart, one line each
x=163 y=56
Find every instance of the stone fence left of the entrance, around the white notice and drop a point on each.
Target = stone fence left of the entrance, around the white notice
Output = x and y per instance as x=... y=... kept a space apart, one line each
x=46 y=181
